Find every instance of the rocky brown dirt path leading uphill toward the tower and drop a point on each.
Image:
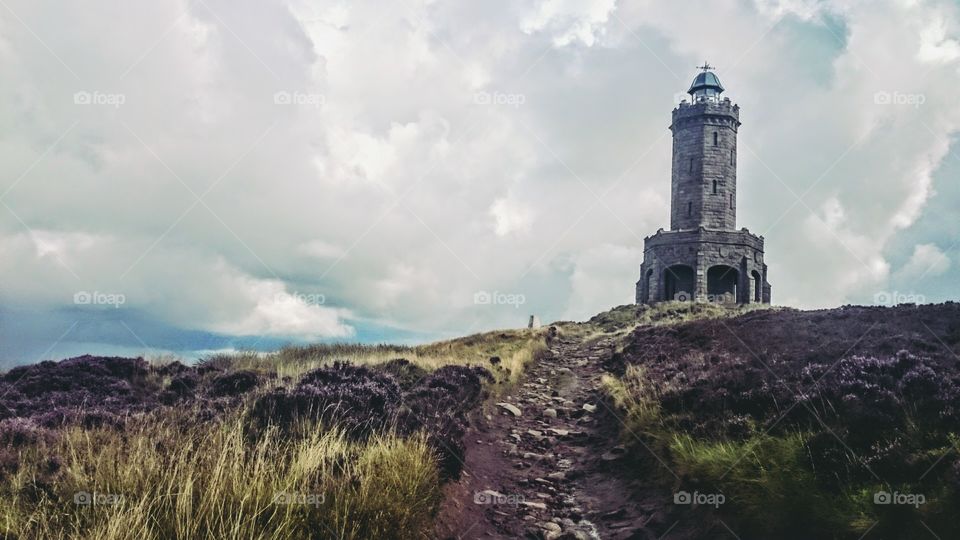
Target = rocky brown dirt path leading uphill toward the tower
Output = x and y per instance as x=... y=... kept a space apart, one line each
x=550 y=472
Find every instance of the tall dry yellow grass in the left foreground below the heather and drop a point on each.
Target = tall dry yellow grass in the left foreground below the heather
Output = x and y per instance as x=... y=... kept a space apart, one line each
x=164 y=478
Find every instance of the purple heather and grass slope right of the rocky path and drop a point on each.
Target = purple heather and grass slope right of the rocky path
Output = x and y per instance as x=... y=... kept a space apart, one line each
x=800 y=418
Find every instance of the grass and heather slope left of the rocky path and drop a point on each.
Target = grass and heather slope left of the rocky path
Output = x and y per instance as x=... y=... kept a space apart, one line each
x=345 y=441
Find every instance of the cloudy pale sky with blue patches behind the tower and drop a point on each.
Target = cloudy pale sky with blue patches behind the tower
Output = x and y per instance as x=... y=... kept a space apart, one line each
x=190 y=176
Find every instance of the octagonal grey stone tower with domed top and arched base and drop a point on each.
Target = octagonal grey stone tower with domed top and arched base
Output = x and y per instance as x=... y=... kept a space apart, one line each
x=703 y=257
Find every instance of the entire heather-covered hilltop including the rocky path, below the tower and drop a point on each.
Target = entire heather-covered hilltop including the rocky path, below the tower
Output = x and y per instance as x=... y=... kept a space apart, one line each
x=692 y=420
